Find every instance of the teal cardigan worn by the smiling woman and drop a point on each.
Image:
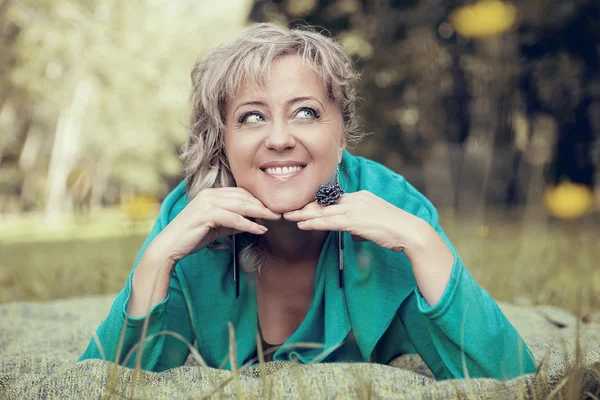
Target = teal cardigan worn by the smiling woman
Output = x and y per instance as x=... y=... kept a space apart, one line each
x=378 y=315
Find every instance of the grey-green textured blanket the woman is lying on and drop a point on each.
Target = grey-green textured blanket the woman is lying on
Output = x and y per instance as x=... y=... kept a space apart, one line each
x=39 y=344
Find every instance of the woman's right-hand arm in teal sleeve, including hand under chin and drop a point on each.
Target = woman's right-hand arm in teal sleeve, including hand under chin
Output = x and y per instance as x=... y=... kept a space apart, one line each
x=453 y=322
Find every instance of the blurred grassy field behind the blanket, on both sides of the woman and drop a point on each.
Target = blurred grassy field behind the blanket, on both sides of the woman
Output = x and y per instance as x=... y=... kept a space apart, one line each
x=517 y=261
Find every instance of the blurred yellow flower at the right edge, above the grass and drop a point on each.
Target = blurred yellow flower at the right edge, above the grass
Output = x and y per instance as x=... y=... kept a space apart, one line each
x=569 y=200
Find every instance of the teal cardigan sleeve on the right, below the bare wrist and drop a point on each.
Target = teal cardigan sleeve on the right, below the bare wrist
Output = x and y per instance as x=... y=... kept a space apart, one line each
x=465 y=333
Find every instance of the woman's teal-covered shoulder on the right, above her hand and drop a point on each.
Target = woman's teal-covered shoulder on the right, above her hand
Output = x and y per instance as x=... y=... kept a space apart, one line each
x=361 y=173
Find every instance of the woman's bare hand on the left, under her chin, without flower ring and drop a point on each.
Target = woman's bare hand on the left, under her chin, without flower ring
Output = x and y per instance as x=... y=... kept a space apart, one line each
x=212 y=214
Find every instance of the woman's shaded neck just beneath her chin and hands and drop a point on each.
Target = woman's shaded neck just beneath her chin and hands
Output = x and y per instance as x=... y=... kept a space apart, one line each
x=285 y=244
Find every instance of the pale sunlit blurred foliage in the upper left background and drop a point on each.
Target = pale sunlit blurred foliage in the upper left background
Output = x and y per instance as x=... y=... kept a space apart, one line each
x=124 y=66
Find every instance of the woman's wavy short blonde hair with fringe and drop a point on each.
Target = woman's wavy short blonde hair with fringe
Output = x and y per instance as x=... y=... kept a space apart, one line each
x=217 y=77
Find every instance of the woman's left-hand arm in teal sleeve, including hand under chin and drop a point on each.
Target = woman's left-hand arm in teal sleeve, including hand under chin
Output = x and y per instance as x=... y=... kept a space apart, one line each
x=183 y=227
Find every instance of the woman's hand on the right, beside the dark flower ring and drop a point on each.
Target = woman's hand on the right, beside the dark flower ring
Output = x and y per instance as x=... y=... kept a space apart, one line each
x=366 y=217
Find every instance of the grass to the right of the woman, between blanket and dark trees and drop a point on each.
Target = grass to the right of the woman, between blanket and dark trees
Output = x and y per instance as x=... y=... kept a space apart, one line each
x=541 y=262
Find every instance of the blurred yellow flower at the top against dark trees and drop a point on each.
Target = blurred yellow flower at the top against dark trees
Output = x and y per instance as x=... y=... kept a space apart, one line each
x=483 y=19
